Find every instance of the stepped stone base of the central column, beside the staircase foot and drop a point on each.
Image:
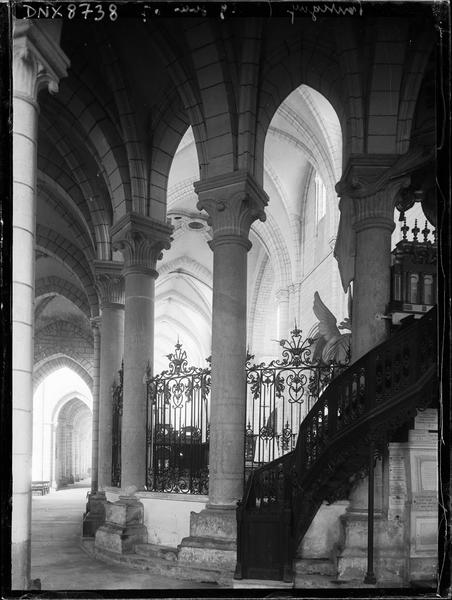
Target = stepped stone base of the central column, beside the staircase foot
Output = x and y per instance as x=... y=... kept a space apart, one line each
x=212 y=540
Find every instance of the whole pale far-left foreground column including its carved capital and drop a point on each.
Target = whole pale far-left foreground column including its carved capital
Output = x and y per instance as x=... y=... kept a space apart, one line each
x=37 y=62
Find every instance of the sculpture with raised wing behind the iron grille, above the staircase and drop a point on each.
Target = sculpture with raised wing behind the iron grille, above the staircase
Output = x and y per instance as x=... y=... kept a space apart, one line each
x=331 y=345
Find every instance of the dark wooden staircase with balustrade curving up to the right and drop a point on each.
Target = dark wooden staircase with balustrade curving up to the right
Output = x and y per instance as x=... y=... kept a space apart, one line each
x=372 y=398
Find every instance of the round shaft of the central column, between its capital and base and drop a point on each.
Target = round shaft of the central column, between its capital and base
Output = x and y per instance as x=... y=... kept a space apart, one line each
x=228 y=395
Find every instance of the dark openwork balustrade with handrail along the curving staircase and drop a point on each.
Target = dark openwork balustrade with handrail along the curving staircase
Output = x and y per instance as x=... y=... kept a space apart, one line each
x=353 y=397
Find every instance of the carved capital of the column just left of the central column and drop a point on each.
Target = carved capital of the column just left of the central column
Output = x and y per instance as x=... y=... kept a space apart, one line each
x=141 y=241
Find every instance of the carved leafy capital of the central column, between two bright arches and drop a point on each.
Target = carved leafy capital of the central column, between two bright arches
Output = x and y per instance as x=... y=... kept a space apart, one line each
x=233 y=202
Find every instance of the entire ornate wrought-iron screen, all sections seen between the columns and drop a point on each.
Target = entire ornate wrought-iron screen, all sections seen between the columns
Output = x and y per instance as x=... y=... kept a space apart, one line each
x=279 y=395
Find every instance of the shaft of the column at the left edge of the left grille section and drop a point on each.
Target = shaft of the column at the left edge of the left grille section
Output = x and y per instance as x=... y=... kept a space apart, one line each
x=138 y=351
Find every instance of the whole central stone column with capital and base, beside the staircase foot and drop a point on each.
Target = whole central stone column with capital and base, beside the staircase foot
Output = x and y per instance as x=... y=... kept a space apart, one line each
x=233 y=202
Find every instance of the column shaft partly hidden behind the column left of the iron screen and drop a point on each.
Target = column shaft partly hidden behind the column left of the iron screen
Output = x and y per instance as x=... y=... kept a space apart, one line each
x=111 y=354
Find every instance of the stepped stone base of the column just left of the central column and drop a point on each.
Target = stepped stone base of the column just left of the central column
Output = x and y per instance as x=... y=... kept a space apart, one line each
x=123 y=527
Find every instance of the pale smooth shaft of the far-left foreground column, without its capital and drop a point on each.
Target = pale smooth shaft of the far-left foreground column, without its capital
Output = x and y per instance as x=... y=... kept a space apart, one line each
x=24 y=209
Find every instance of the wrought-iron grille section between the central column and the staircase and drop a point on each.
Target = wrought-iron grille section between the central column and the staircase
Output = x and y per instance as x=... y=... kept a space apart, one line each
x=279 y=396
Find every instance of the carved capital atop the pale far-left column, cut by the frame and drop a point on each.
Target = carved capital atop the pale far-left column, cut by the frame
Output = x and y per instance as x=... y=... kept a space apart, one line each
x=38 y=60
